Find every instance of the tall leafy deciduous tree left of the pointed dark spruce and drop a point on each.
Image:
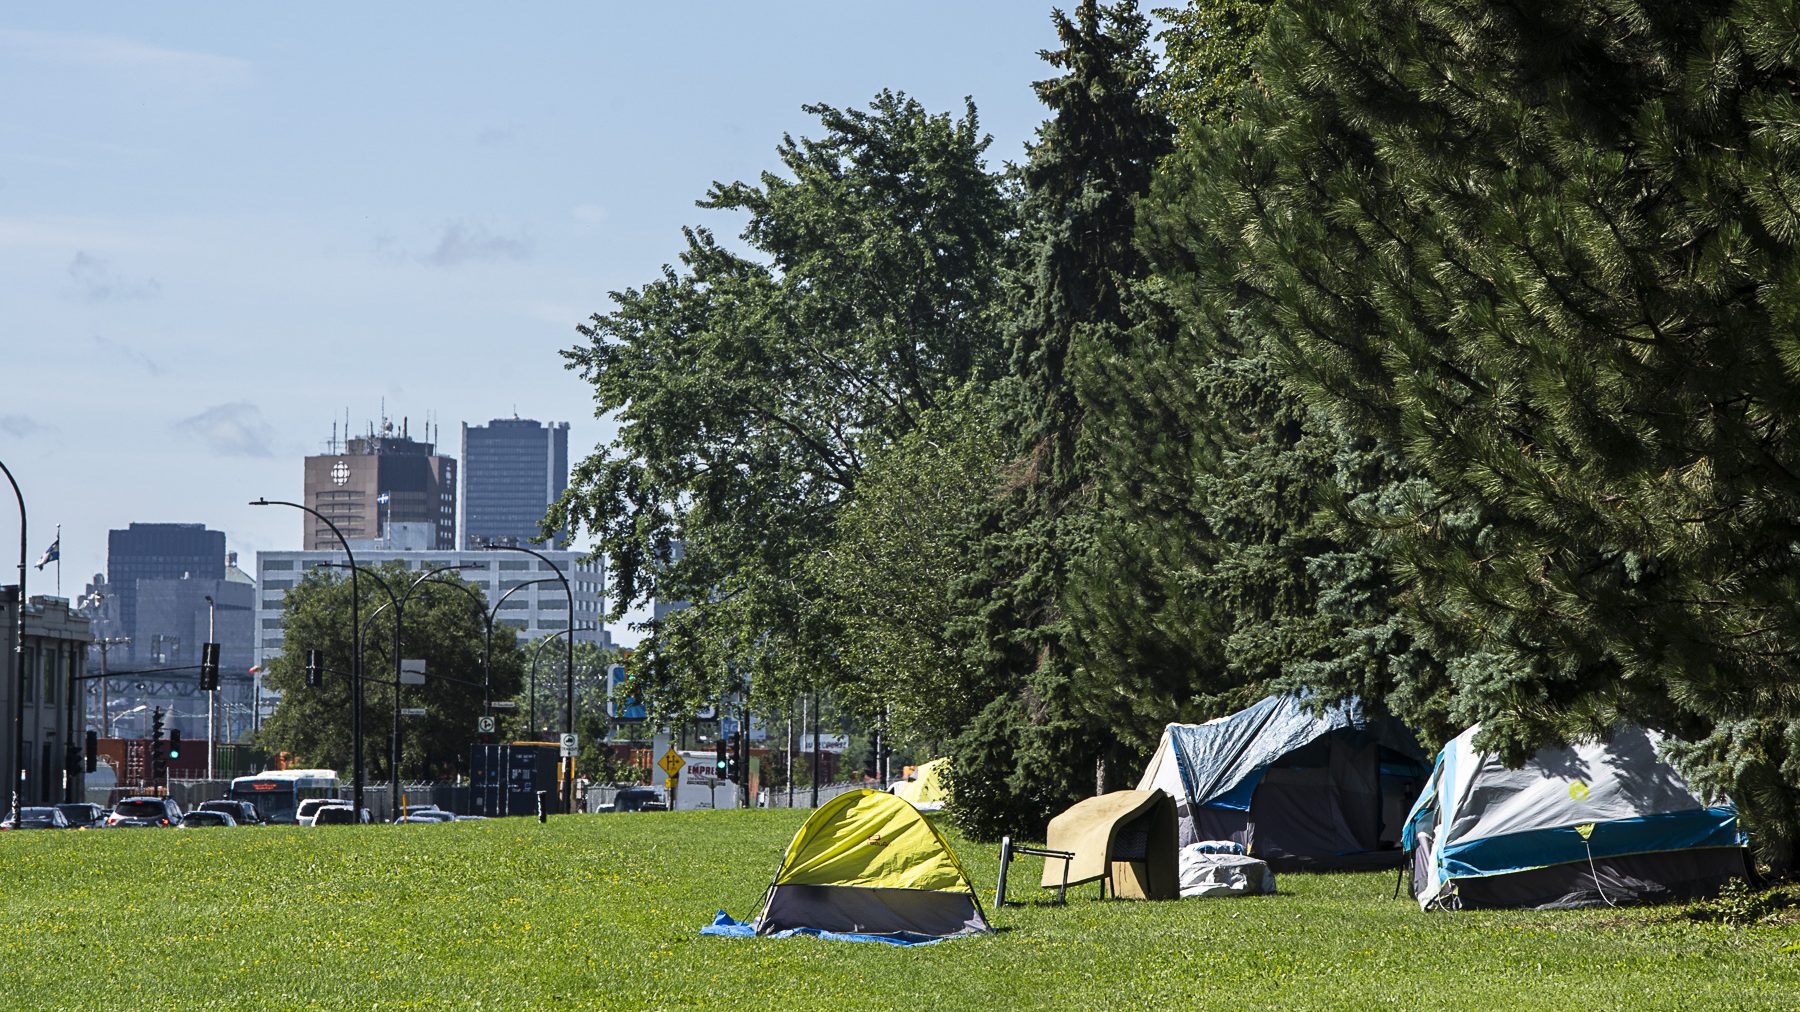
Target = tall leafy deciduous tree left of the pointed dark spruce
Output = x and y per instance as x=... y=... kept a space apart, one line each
x=751 y=386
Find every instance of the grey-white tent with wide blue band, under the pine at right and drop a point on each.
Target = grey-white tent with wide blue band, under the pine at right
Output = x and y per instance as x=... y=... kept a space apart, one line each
x=1583 y=826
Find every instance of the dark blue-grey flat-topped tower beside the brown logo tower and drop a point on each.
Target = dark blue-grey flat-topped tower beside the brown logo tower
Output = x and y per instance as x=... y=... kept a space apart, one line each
x=512 y=471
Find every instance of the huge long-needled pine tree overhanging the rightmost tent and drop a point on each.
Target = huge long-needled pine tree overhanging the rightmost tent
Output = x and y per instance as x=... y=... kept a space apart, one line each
x=1551 y=253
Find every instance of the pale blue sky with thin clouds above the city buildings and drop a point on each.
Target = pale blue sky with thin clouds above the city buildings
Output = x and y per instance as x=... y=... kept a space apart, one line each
x=222 y=224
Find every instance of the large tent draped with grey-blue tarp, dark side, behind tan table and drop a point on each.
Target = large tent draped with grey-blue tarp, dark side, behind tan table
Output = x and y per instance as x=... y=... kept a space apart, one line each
x=1300 y=790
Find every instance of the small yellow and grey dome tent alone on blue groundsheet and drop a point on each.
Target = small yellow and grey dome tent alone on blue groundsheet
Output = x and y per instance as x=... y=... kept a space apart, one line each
x=868 y=863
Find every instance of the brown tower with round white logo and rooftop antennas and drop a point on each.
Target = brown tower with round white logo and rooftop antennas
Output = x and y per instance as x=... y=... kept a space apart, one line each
x=381 y=489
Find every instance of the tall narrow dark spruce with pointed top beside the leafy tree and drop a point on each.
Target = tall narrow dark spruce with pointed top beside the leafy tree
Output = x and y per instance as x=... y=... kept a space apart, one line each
x=1034 y=748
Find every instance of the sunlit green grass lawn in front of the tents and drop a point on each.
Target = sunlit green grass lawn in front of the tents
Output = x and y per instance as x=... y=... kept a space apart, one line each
x=604 y=912
